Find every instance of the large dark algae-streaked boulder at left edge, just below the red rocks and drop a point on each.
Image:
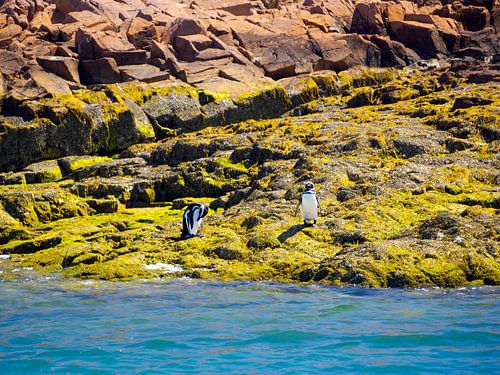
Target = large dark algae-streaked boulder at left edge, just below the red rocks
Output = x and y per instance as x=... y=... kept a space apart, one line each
x=75 y=129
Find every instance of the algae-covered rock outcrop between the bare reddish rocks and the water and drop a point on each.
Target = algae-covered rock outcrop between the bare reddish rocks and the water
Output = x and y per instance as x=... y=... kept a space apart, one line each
x=405 y=163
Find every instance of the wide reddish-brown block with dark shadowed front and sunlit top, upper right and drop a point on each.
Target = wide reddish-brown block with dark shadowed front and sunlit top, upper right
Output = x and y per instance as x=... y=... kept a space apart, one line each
x=423 y=38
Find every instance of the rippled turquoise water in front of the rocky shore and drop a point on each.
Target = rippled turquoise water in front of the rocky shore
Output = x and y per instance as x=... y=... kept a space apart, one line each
x=186 y=327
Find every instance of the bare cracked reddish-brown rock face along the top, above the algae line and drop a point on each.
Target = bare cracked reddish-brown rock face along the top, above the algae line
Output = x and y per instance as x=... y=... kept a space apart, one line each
x=228 y=43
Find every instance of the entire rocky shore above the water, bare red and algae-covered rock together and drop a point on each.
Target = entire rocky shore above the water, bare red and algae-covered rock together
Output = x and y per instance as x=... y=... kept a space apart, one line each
x=95 y=174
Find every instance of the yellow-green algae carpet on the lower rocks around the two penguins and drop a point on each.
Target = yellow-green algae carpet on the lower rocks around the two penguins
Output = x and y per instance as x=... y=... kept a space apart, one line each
x=408 y=196
